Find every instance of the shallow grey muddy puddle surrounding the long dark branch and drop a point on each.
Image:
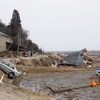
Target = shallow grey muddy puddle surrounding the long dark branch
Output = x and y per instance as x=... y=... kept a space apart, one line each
x=64 y=80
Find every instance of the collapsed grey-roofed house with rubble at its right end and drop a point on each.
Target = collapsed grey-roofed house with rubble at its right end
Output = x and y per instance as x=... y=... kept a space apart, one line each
x=79 y=58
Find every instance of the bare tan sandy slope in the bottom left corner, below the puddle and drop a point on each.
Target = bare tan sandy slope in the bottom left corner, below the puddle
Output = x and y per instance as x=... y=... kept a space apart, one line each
x=9 y=92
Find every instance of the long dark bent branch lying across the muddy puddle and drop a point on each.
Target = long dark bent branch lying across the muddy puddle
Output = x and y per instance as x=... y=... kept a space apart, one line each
x=64 y=90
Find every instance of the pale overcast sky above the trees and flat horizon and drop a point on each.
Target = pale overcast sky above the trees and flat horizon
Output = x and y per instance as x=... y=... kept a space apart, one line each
x=57 y=25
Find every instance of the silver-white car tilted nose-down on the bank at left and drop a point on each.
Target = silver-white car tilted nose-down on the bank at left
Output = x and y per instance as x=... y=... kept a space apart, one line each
x=9 y=68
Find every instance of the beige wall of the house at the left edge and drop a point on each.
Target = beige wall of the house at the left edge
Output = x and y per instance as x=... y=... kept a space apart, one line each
x=3 y=40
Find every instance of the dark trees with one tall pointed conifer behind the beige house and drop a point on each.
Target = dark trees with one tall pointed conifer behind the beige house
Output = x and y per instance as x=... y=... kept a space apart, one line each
x=19 y=35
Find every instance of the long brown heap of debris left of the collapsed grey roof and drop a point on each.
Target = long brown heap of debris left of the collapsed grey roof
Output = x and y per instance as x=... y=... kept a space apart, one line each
x=50 y=60
